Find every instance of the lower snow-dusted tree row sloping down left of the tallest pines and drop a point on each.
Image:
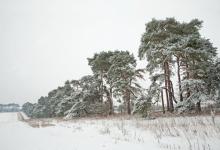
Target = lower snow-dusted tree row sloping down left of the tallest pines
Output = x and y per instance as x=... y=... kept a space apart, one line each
x=115 y=75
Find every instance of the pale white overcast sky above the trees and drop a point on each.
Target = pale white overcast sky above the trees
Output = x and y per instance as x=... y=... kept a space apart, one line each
x=46 y=42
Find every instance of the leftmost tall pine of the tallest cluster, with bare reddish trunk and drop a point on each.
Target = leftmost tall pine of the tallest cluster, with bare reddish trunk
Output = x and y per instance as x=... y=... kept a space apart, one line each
x=156 y=48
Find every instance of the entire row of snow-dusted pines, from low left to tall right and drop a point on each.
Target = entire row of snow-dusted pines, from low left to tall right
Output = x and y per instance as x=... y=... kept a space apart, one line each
x=172 y=50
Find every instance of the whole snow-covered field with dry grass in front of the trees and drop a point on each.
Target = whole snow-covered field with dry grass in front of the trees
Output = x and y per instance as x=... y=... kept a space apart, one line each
x=182 y=133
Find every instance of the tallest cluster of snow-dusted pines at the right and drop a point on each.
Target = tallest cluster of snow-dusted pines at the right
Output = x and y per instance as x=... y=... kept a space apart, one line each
x=177 y=50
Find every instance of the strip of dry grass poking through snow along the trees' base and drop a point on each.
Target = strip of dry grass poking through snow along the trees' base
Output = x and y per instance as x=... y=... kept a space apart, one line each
x=172 y=133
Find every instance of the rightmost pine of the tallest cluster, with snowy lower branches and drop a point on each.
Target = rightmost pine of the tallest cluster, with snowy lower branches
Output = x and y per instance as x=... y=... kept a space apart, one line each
x=199 y=57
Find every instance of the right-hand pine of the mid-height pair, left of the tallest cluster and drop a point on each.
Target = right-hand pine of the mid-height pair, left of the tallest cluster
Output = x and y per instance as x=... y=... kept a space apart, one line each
x=122 y=75
